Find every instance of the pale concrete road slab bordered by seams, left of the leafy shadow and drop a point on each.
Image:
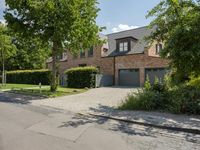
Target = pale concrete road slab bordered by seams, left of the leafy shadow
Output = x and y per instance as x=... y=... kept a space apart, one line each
x=60 y=126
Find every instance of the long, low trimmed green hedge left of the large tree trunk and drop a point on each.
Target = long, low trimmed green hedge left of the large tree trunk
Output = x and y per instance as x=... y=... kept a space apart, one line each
x=29 y=77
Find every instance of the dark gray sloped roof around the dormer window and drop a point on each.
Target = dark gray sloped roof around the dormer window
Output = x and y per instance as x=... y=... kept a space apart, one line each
x=139 y=46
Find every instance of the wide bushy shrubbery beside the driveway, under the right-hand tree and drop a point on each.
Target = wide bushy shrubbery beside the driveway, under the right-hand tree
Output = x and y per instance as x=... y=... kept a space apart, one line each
x=180 y=99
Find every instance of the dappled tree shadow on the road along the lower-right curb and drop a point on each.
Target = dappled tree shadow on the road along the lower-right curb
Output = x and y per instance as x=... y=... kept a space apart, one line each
x=123 y=127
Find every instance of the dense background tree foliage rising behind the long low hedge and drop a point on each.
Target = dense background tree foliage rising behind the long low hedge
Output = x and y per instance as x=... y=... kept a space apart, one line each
x=30 y=54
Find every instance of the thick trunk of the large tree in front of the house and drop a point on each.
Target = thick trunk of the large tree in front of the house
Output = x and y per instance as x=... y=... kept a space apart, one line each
x=54 y=81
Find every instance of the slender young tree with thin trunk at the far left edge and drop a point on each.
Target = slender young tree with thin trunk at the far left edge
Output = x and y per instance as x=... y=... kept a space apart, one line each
x=7 y=49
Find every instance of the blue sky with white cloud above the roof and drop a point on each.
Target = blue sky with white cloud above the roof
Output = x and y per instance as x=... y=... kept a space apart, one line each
x=118 y=15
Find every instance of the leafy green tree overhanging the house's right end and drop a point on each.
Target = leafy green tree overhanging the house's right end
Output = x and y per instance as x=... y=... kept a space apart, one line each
x=176 y=24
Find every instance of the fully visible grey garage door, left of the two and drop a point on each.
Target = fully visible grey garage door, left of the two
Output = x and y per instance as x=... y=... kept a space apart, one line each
x=129 y=77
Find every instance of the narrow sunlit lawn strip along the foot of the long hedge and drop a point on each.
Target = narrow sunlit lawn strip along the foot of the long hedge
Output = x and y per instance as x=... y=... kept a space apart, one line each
x=16 y=86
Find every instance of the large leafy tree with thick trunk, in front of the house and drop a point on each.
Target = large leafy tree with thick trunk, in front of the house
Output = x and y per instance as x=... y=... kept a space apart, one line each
x=69 y=24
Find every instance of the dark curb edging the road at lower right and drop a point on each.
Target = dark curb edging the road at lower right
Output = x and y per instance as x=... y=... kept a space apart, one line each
x=186 y=130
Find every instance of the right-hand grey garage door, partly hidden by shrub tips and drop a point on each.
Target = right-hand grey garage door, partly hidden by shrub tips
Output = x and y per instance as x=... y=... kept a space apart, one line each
x=155 y=72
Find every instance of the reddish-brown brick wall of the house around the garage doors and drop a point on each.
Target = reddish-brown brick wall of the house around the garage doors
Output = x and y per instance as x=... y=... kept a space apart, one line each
x=106 y=64
